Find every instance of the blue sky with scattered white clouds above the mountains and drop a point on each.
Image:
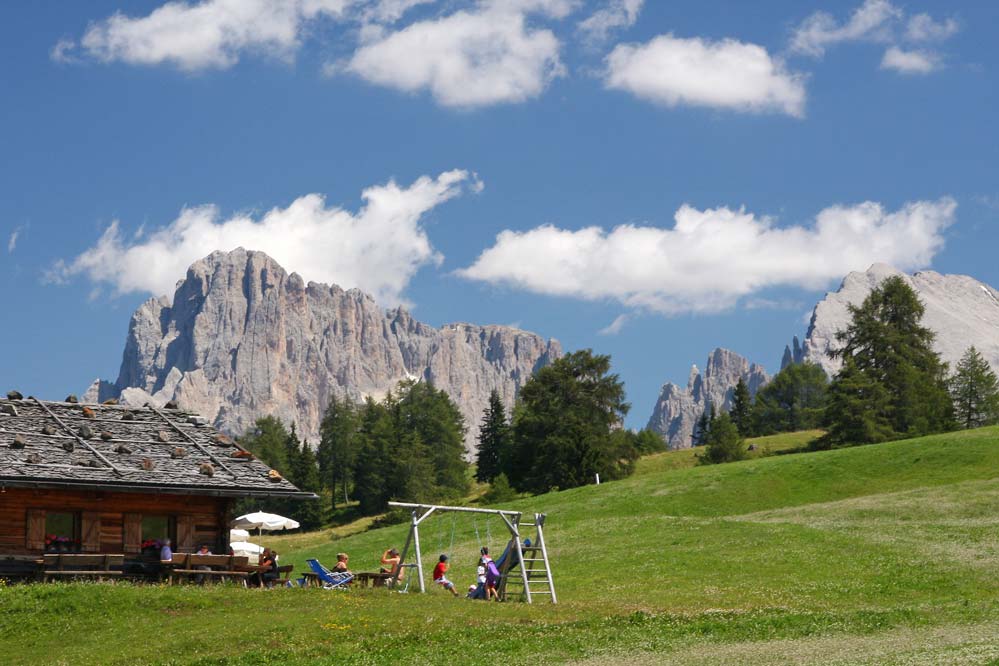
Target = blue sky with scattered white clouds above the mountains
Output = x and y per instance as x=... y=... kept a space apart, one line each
x=559 y=165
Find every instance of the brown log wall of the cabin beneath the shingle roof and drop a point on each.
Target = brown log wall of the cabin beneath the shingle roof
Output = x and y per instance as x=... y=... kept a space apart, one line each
x=110 y=522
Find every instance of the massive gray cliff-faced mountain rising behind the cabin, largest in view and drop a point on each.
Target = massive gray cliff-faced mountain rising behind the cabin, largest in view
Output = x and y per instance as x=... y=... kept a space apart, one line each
x=244 y=339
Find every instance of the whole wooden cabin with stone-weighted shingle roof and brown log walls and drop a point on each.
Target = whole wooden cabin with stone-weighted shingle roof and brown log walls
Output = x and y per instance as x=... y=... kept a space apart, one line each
x=111 y=479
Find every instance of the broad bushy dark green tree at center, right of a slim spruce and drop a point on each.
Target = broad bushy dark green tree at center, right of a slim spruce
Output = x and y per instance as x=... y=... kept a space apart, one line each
x=563 y=422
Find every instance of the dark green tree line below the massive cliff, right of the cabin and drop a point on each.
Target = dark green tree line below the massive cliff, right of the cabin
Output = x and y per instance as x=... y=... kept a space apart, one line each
x=565 y=429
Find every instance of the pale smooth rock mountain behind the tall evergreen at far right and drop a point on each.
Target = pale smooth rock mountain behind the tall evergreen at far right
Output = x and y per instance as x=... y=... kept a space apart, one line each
x=961 y=311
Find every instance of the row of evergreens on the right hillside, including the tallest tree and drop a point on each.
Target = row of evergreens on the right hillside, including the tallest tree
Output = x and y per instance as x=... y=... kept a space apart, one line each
x=892 y=385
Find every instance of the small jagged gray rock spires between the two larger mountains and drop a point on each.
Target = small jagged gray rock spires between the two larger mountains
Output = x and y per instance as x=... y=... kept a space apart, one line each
x=678 y=409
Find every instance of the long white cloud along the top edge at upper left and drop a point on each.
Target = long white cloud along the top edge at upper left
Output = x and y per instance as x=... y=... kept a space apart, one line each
x=202 y=35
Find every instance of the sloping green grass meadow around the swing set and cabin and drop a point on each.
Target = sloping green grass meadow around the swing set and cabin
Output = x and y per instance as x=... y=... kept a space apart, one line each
x=873 y=555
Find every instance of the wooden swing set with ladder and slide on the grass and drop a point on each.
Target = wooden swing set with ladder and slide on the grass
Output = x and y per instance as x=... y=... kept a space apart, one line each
x=523 y=564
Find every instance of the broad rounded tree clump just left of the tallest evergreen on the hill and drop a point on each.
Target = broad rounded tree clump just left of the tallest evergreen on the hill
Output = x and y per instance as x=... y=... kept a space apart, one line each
x=793 y=400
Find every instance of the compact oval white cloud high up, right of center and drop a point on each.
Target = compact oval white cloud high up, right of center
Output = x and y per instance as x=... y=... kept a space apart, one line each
x=726 y=74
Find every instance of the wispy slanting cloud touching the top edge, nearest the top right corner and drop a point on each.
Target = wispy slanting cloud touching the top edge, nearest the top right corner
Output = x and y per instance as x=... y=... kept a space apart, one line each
x=870 y=21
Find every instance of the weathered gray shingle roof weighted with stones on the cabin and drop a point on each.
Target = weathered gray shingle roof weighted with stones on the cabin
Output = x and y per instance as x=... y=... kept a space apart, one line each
x=62 y=444
